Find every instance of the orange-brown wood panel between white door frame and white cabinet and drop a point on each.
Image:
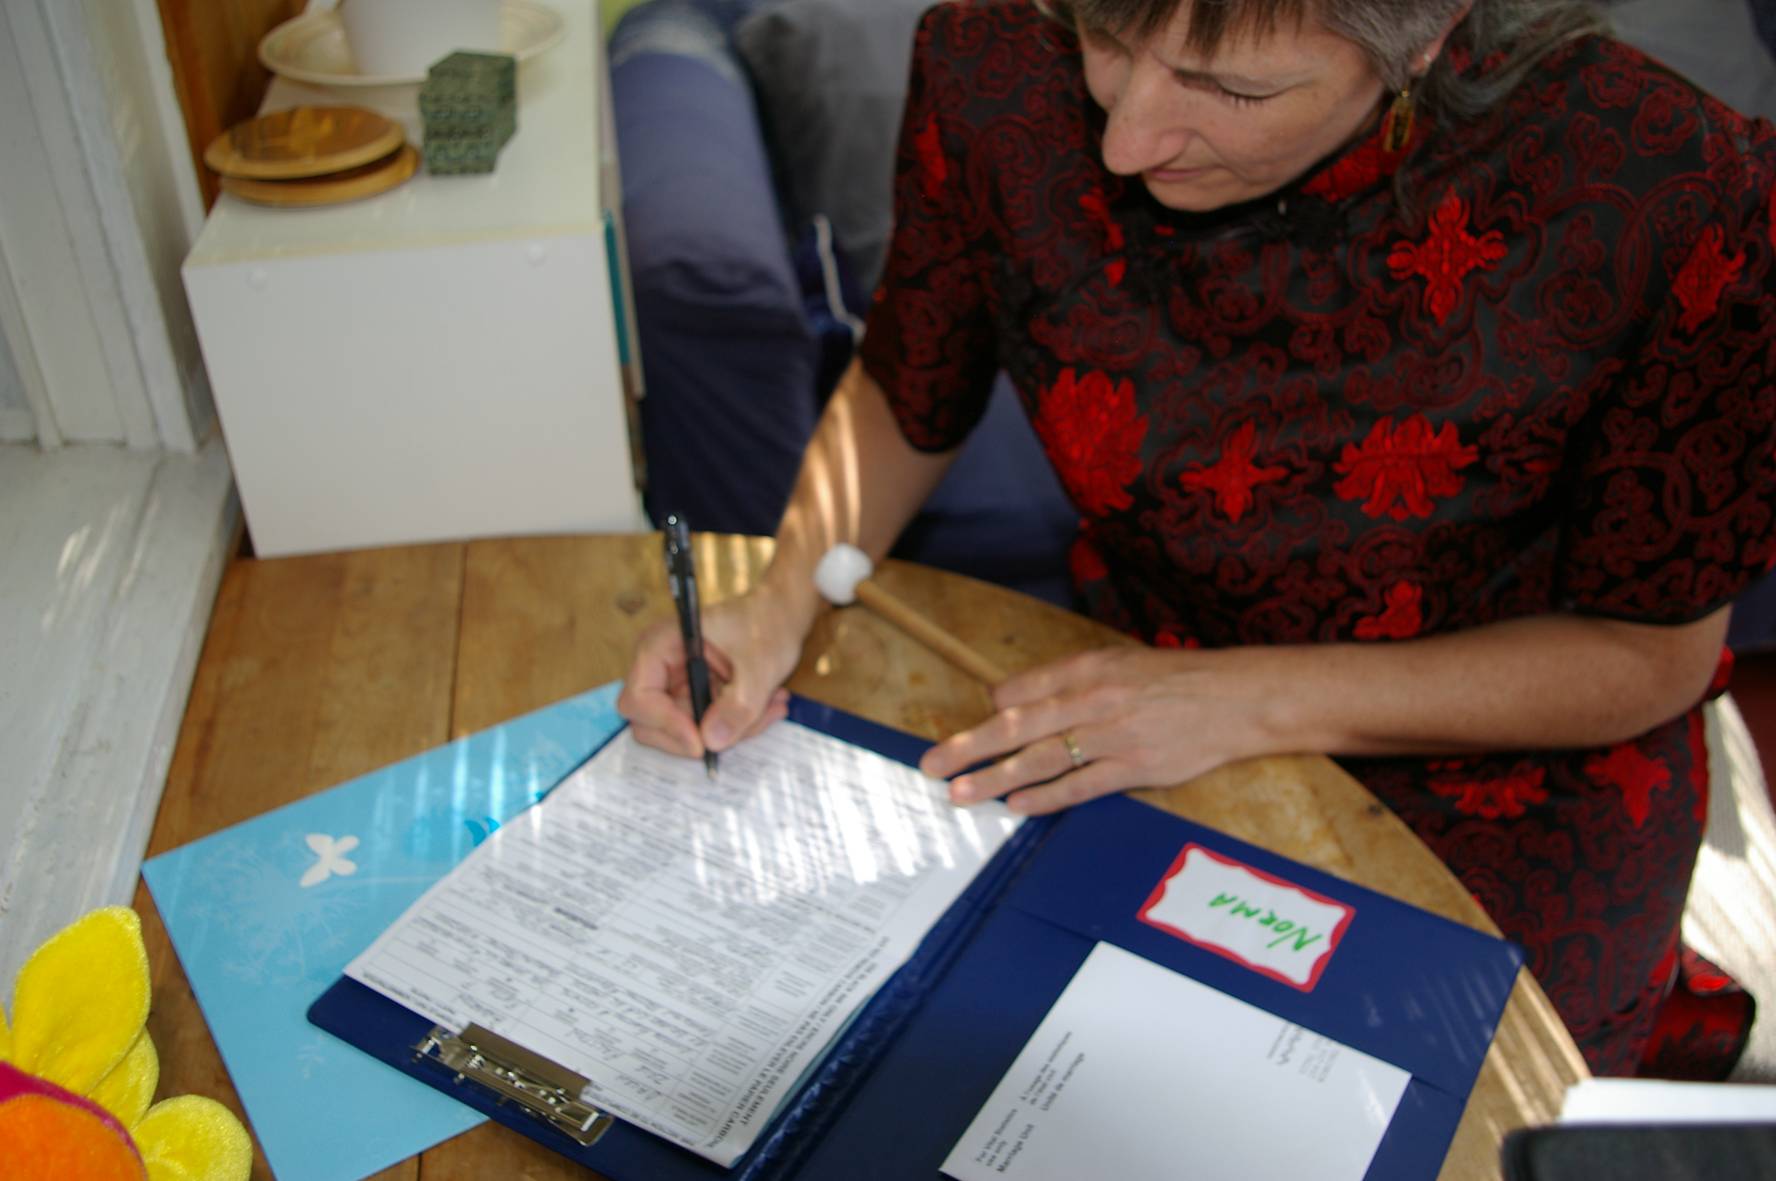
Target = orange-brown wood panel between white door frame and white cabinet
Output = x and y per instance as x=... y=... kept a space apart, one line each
x=214 y=49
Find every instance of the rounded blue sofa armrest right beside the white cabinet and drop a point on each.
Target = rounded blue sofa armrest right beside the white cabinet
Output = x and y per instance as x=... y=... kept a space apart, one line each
x=727 y=354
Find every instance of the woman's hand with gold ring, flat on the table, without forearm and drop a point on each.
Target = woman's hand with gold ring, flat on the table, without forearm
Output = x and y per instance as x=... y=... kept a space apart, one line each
x=1106 y=722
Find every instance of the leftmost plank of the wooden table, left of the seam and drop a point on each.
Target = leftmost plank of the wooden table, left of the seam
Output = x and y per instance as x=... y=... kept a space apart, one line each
x=315 y=672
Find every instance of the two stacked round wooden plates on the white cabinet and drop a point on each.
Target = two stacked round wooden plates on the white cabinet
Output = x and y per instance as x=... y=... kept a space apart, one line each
x=313 y=155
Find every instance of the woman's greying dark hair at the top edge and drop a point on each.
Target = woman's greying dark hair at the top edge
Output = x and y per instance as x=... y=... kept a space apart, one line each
x=1514 y=33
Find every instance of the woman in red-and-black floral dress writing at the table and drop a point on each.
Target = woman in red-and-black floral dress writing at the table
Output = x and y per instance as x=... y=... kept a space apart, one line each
x=1411 y=365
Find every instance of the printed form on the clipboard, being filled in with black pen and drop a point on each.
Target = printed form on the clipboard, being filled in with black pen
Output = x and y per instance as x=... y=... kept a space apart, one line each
x=690 y=946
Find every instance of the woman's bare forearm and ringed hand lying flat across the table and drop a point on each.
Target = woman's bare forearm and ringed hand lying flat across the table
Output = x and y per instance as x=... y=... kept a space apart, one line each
x=1123 y=718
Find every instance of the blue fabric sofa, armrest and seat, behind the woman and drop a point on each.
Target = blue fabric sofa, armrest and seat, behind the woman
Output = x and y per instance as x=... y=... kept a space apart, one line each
x=733 y=360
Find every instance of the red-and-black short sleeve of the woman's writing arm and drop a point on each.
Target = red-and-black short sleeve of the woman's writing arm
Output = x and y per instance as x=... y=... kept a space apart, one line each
x=930 y=338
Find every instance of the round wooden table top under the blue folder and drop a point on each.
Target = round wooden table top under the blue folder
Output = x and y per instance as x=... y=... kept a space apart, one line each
x=319 y=670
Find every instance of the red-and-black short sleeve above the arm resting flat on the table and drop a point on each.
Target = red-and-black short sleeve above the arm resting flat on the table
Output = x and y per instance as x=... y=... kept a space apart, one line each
x=1676 y=461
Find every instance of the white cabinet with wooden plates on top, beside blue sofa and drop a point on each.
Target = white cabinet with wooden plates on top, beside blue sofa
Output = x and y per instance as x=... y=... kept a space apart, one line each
x=441 y=361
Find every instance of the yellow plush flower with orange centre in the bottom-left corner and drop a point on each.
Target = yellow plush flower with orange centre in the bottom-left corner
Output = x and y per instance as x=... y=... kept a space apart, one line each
x=79 y=1070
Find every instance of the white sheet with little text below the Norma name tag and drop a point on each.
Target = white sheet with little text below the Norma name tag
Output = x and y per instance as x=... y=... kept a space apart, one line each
x=1141 y=1074
